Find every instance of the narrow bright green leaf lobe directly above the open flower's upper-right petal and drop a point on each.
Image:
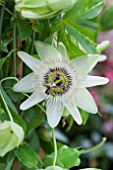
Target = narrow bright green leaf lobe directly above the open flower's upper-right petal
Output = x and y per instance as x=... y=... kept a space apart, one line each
x=72 y=49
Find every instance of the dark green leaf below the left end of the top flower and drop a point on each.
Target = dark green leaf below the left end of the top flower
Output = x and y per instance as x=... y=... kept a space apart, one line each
x=24 y=29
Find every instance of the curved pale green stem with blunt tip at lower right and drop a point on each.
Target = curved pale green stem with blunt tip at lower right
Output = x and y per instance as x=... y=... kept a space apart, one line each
x=94 y=148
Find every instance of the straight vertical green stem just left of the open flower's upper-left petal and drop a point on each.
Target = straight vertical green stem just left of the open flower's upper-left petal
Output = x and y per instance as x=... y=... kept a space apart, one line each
x=14 y=44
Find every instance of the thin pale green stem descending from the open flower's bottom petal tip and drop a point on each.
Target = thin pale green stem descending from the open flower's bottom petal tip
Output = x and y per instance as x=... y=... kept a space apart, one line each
x=55 y=147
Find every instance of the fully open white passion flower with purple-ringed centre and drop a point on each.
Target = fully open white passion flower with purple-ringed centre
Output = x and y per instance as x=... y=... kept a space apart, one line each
x=59 y=81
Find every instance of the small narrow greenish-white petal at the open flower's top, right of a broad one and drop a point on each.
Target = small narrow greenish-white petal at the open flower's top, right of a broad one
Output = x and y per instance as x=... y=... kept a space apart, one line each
x=62 y=50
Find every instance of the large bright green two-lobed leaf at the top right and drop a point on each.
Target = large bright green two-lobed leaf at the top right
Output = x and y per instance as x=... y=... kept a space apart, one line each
x=74 y=22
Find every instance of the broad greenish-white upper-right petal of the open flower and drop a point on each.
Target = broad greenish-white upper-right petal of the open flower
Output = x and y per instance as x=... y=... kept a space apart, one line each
x=86 y=63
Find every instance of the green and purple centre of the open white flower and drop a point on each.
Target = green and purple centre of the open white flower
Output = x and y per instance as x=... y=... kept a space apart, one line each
x=57 y=81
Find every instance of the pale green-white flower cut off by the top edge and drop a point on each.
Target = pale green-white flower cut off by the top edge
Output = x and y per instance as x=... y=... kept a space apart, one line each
x=43 y=9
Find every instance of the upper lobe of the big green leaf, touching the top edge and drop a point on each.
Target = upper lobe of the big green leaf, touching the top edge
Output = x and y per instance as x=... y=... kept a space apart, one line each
x=87 y=9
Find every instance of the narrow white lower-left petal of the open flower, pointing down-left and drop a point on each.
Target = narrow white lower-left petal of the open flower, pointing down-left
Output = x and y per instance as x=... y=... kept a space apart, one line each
x=34 y=99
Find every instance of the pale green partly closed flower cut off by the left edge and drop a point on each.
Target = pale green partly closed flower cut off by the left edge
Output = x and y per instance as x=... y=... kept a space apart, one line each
x=11 y=135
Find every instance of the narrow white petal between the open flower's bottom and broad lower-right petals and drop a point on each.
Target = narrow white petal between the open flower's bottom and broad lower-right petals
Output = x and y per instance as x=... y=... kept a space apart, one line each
x=71 y=107
